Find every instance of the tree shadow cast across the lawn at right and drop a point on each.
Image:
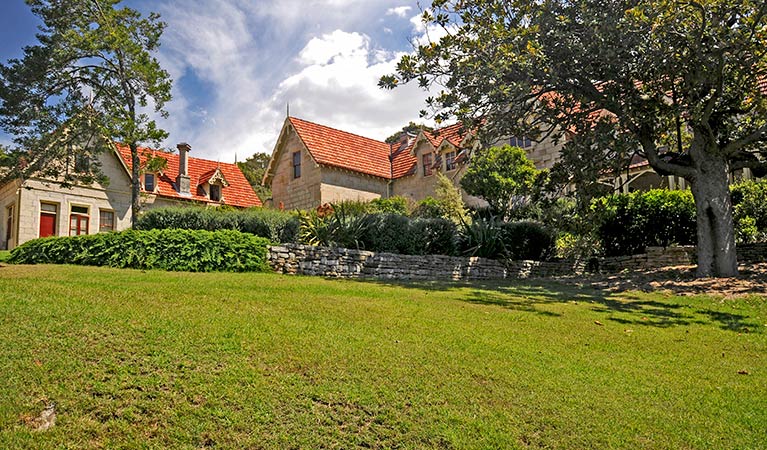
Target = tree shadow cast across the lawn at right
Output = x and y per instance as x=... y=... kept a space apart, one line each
x=627 y=308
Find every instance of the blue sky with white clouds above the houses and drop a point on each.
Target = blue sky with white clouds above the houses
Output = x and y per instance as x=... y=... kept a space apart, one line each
x=237 y=64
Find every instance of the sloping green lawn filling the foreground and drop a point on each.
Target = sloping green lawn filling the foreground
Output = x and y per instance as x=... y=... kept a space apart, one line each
x=155 y=360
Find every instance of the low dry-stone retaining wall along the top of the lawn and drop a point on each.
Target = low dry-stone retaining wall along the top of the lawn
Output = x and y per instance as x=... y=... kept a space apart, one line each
x=349 y=263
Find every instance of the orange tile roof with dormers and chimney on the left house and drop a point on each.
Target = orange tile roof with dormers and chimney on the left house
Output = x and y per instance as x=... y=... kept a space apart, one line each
x=239 y=192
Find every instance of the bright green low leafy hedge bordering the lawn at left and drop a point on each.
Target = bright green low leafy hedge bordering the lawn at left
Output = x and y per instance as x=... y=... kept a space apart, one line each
x=177 y=250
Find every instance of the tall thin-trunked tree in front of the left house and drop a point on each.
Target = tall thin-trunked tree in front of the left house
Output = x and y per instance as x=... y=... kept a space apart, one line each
x=91 y=79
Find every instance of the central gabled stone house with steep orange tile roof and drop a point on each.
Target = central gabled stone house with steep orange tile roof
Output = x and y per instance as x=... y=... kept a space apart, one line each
x=314 y=164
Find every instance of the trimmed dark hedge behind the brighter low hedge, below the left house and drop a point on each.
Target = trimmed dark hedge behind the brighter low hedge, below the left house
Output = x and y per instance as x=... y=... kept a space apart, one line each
x=277 y=226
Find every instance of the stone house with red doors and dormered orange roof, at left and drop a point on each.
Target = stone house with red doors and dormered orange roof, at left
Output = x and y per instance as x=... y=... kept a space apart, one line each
x=37 y=207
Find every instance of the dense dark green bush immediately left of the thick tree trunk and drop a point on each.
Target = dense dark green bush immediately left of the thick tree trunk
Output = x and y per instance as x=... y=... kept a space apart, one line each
x=628 y=223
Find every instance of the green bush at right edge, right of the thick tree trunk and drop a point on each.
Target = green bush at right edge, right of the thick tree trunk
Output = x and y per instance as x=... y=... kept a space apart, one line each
x=749 y=199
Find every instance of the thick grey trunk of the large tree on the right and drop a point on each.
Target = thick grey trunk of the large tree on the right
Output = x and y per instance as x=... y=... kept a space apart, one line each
x=716 y=234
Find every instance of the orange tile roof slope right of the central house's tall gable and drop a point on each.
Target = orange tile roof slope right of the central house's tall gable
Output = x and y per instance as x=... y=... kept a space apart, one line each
x=336 y=148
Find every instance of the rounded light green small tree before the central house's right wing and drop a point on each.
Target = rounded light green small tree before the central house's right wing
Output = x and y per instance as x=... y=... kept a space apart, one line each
x=502 y=176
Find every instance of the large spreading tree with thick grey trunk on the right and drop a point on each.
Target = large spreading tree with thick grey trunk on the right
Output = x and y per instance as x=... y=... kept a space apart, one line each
x=618 y=74
